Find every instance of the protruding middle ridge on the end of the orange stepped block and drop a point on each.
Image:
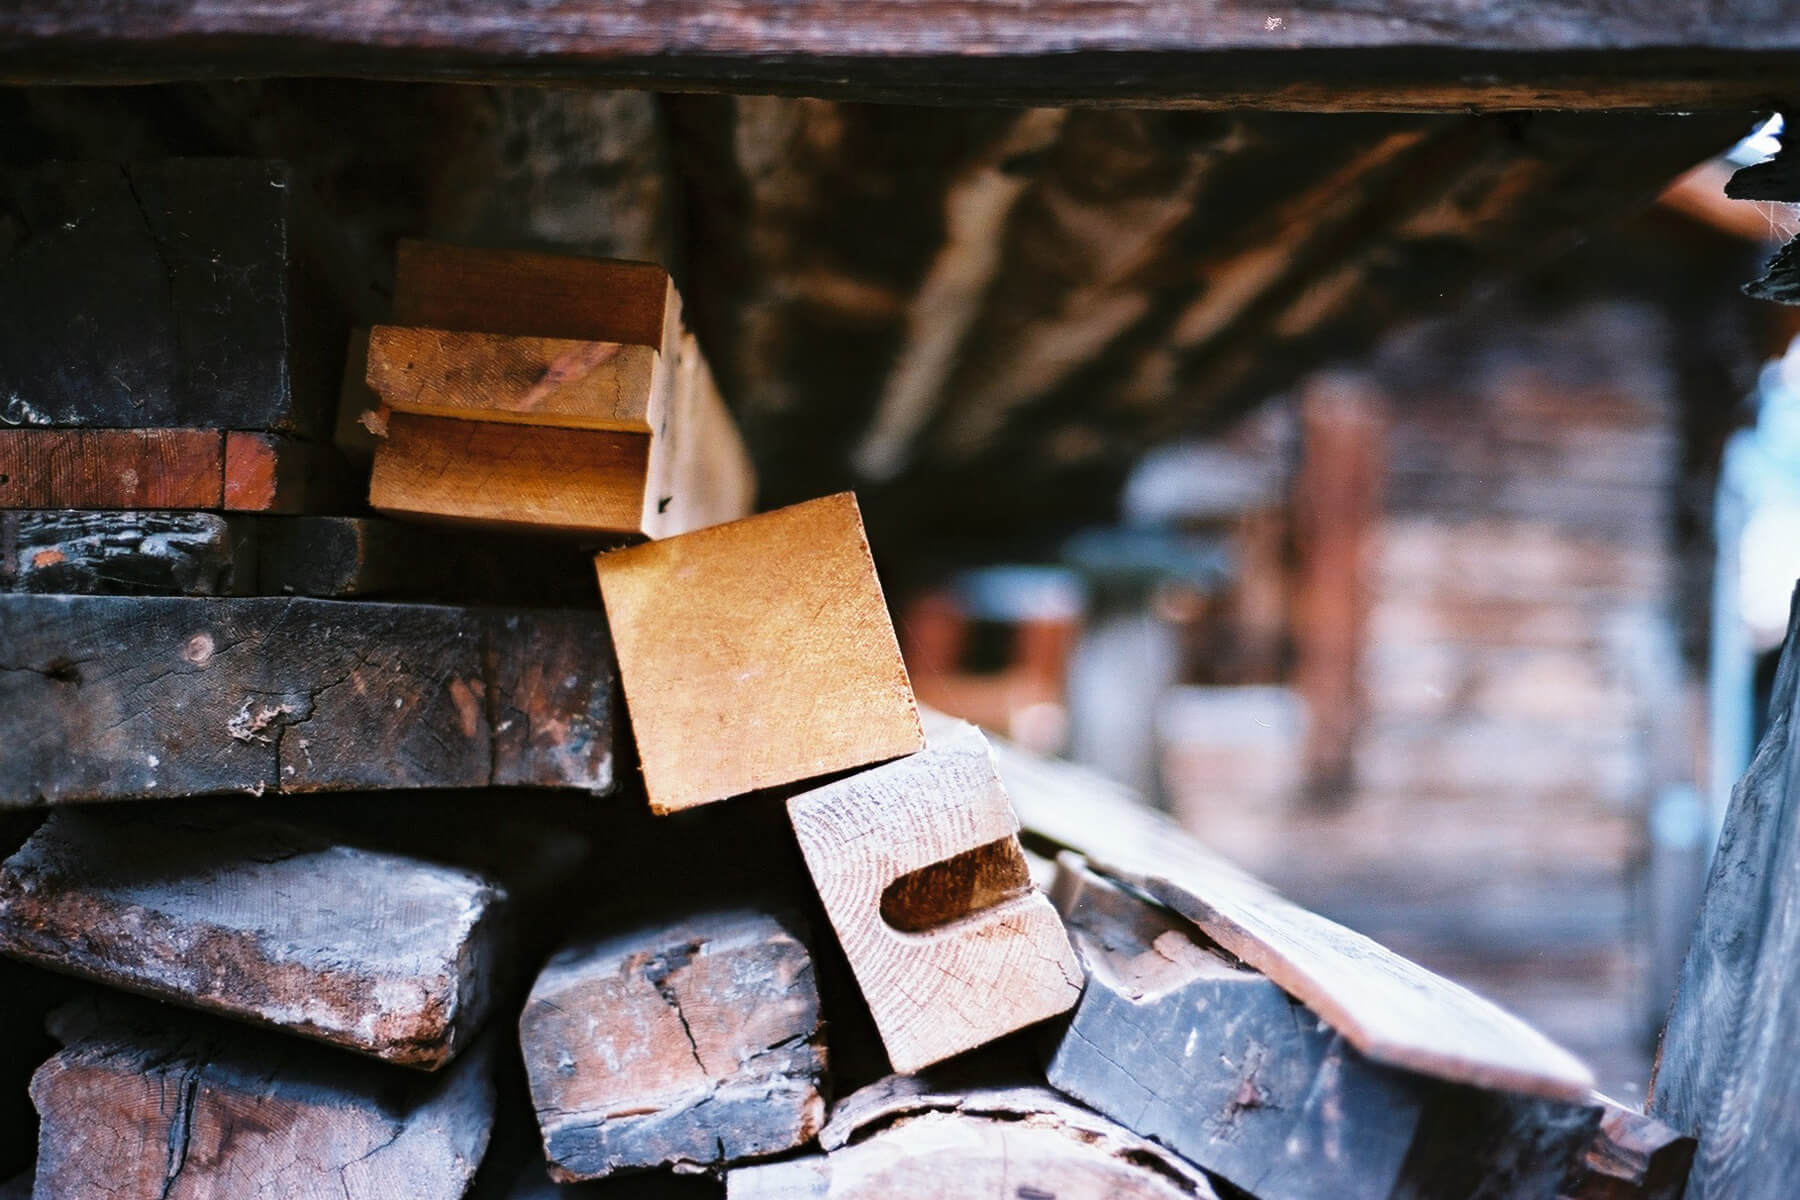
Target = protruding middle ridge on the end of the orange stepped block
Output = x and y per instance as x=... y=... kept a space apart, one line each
x=492 y=377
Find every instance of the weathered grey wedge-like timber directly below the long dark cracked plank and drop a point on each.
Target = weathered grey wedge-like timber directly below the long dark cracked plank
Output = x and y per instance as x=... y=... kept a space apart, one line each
x=262 y=922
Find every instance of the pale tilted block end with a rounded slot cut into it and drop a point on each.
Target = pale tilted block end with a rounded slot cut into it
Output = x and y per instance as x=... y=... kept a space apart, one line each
x=919 y=868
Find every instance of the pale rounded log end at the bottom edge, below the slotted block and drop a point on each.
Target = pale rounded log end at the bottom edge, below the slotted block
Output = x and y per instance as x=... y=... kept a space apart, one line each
x=904 y=1138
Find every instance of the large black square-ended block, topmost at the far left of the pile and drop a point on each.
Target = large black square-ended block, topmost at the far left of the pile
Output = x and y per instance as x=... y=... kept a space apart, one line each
x=165 y=294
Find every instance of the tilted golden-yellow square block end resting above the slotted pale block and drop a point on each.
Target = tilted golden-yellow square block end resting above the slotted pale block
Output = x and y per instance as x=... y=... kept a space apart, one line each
x=769 y=640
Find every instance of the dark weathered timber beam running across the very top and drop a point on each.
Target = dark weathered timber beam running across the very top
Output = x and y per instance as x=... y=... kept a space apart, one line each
x=1295 y=55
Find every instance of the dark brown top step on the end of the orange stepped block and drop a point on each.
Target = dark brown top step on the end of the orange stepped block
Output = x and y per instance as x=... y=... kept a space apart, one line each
x=535 y=296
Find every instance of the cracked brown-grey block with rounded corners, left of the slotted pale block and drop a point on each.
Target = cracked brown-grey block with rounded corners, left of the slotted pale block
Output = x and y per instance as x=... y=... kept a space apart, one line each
x=694 y=1044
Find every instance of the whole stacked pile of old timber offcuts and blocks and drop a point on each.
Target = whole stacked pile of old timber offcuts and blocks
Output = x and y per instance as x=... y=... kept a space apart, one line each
x=388 y=902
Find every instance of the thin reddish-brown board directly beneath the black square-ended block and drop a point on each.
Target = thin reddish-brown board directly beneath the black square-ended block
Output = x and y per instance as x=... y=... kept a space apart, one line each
x=112 y=469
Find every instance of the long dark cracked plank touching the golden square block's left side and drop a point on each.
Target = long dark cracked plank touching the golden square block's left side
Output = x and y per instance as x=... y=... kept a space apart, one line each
x=157 y=697
